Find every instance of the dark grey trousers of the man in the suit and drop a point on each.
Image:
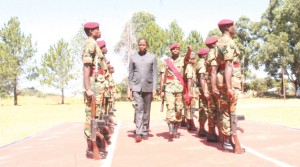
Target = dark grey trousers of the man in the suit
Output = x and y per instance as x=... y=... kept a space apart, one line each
x=142 y=102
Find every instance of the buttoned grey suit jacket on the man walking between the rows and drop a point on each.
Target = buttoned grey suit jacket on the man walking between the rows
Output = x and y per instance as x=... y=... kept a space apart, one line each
x=143 y=72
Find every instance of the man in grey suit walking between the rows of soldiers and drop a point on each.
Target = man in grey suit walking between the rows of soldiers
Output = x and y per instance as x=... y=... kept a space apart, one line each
x=142 y=87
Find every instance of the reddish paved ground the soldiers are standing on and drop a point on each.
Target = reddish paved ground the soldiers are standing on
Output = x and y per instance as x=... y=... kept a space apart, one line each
x=64 y=145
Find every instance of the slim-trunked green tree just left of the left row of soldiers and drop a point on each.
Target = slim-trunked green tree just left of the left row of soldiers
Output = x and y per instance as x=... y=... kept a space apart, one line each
x=56 y=67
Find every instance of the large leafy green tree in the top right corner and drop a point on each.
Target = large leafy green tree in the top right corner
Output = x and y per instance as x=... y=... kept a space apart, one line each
x=278 y=33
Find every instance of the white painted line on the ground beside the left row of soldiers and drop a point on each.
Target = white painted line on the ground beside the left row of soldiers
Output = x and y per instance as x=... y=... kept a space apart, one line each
x=111 y=149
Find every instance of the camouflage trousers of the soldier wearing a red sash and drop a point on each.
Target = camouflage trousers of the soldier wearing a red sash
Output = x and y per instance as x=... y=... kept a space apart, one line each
x=175 y=105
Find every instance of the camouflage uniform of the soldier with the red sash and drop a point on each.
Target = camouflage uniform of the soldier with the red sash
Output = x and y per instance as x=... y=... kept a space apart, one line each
x=174 y=91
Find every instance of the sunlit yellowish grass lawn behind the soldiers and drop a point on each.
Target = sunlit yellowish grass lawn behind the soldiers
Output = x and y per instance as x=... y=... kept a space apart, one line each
x=37 y=114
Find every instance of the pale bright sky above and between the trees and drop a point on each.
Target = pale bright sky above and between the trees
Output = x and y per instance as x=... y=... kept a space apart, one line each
x=50 y=20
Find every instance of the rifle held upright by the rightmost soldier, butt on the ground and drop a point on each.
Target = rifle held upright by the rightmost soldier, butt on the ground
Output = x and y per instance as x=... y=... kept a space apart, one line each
x=233 y=124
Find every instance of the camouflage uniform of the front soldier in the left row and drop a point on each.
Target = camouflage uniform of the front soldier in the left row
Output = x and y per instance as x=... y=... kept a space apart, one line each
x=91 y=52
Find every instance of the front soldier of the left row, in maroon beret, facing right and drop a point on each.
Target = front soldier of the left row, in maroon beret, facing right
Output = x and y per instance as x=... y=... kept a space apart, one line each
x=92 y=80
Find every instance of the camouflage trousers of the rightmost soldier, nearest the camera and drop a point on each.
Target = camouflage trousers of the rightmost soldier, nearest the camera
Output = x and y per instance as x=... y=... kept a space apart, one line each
x=226 y=109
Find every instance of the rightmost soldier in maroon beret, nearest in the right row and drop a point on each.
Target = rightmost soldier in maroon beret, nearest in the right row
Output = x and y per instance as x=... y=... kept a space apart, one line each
x=227 y=50
